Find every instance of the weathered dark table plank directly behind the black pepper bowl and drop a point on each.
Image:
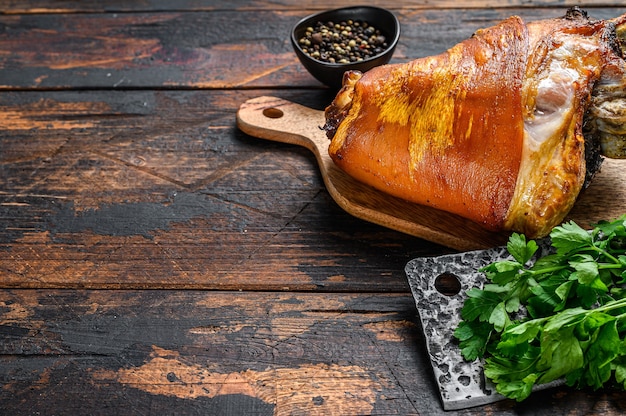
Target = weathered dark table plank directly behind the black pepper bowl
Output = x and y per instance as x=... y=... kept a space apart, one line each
x=219 y=49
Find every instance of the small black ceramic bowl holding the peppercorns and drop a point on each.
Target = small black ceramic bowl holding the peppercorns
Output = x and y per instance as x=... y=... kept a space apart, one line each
x=331 y=74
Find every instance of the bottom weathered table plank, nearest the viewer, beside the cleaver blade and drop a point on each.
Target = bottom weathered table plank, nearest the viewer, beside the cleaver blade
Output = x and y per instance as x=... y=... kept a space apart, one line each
x=104 y=352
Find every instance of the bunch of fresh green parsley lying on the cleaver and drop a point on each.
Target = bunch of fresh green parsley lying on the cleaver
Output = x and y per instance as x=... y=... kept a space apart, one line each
x=557 y=316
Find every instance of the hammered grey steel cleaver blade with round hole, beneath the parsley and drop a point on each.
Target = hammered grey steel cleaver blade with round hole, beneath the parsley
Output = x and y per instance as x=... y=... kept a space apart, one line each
x=438 y=285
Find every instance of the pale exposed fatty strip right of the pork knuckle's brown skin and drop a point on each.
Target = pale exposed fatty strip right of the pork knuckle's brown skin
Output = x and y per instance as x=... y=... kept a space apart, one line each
x=555 y=85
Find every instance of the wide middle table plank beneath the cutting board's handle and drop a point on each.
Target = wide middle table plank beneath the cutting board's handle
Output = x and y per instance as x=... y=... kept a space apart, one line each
x=142 y=189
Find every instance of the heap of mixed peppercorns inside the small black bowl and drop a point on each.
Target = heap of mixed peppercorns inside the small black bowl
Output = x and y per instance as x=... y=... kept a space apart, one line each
x=344 y=42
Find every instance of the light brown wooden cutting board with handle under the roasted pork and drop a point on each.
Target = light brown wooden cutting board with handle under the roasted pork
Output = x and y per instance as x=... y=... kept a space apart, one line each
x=273 y=118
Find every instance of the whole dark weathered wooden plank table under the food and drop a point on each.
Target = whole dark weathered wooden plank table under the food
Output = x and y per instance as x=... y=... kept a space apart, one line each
x=154 y=259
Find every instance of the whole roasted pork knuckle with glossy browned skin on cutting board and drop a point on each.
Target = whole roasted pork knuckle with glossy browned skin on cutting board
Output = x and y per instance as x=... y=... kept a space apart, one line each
x=492 y=129
